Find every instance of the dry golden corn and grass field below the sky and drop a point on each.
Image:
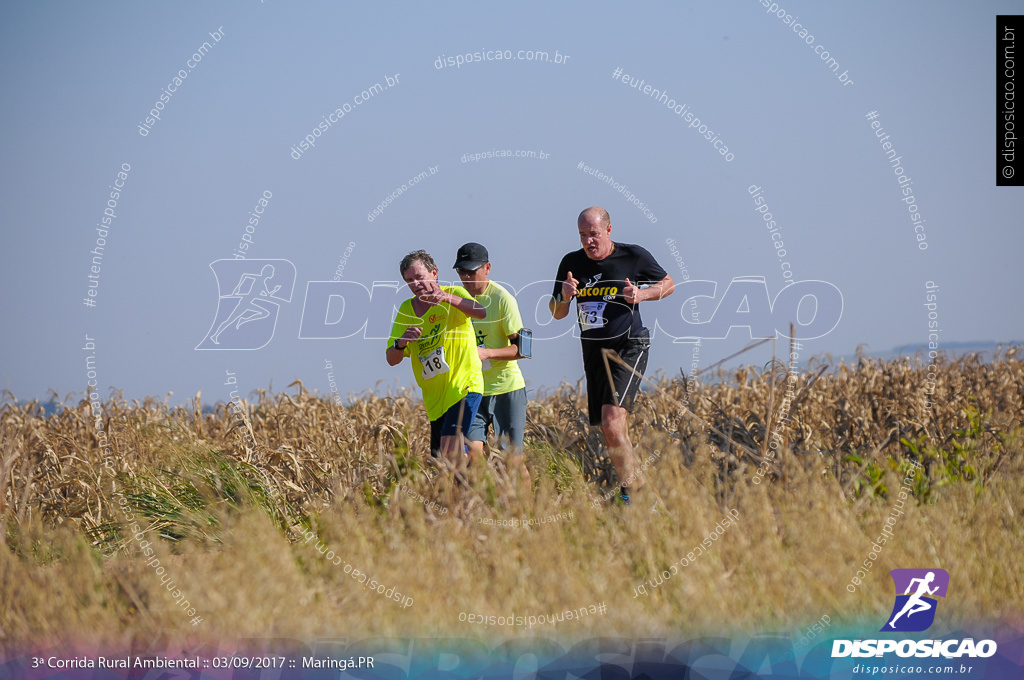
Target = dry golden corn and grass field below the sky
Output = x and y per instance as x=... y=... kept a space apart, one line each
x=262 y=520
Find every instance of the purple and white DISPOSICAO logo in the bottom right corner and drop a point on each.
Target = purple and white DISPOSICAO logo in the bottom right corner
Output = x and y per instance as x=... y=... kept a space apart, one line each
x=914 y=612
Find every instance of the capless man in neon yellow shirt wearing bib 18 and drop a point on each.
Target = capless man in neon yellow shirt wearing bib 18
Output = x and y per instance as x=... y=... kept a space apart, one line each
x=436 y=331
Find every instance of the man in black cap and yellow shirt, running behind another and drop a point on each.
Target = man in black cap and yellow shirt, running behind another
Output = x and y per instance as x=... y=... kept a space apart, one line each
x=504 y=404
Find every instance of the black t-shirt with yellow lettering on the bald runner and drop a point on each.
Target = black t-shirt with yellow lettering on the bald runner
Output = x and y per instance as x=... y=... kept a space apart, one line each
x=603 y=313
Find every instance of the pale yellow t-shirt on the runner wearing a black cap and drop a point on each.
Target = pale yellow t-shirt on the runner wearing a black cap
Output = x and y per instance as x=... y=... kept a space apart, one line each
x=493 y=332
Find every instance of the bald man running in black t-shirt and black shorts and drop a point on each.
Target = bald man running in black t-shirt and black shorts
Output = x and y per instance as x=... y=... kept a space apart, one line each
x=605 y=278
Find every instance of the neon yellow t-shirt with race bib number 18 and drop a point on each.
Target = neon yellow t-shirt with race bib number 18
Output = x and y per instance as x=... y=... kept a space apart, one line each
x=446 y=363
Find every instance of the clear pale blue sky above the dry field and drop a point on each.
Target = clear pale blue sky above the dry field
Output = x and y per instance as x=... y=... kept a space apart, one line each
x=80 y=79
